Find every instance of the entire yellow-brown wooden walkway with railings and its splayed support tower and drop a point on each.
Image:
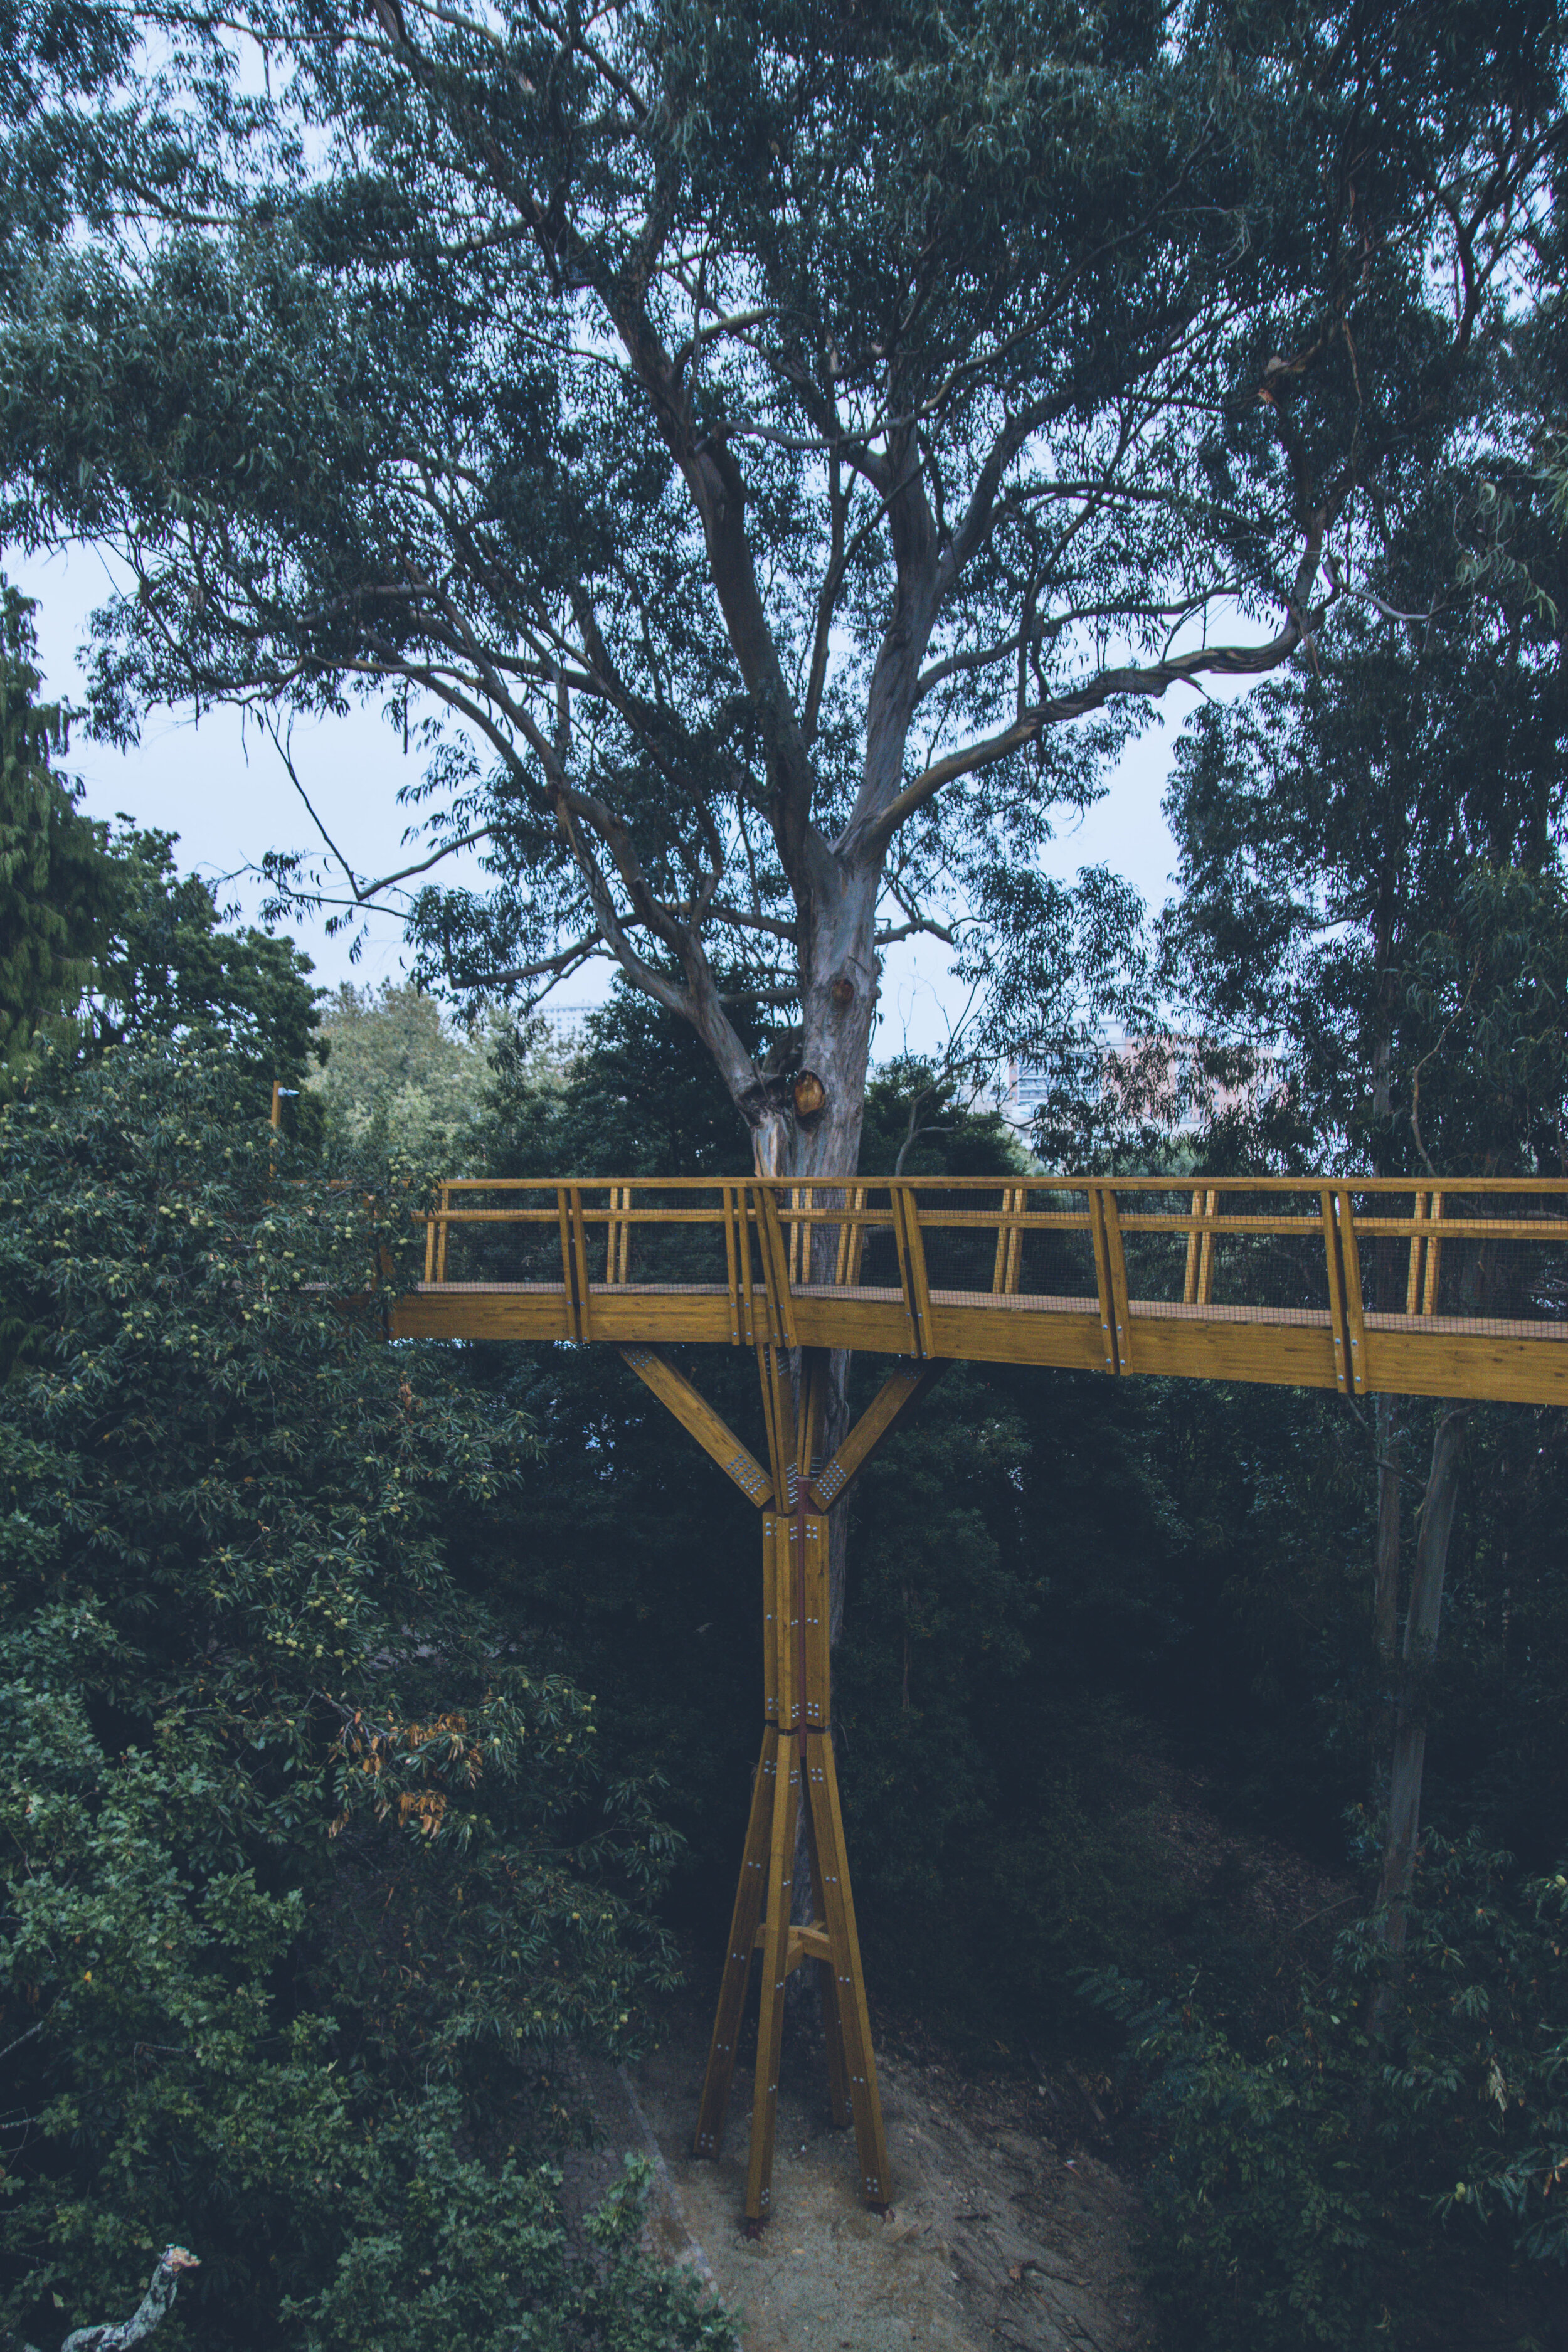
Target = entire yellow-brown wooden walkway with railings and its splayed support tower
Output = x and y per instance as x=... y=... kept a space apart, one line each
x=1445 y=1290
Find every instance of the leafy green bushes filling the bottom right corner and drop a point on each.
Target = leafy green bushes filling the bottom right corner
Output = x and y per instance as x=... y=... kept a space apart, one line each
x=1304 y=2193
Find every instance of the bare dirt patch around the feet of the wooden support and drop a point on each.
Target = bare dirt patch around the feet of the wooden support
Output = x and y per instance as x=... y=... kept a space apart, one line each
x=1005 y=2229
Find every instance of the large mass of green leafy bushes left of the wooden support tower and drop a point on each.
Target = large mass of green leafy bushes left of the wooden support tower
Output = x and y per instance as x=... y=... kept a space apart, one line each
x=304 y=1873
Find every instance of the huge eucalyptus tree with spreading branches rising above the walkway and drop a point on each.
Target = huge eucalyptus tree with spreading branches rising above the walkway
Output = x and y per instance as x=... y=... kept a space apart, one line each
x=775 y=453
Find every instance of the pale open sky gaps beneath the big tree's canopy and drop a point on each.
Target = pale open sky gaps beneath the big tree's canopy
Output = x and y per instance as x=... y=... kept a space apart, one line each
x=229 y=799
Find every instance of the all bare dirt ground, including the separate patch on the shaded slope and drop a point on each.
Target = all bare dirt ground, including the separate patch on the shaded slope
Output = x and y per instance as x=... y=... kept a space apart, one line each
x=1010 y=2226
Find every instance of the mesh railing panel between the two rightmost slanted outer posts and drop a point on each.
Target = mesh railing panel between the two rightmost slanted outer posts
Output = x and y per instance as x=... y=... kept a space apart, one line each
x=1226 y=1250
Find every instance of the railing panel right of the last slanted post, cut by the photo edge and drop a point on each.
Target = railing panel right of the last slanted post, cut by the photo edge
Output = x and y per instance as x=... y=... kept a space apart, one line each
x=1463 y=1259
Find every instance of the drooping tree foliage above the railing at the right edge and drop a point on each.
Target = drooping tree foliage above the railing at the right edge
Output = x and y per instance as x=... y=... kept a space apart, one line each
x=1372 y=864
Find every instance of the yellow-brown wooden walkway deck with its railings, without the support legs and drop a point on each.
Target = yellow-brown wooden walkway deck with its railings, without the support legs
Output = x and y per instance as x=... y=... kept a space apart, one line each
x=1447 y=1290
